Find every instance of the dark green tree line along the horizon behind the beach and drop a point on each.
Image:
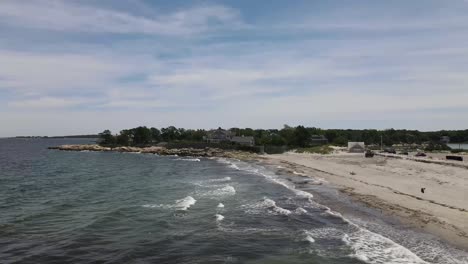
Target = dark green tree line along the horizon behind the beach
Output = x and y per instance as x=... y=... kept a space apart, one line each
x=298 y=136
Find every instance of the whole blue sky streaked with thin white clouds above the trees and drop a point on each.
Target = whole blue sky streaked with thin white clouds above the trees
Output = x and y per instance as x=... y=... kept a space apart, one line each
x=79 y=67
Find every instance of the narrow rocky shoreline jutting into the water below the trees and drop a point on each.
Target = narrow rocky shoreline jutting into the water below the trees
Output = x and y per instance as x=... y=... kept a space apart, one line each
x=206 y=152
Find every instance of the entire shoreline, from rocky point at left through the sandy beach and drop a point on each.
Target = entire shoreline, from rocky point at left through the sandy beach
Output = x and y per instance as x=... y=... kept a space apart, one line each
x=365 y=181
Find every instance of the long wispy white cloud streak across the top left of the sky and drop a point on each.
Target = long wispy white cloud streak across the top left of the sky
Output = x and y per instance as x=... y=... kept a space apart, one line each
x=68 y=16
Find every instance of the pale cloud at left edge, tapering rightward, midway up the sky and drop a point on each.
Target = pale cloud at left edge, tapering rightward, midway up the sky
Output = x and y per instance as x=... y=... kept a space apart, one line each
x=39 y=71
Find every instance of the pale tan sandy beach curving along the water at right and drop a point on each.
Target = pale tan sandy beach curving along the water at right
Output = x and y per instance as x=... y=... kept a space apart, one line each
x=394 y=186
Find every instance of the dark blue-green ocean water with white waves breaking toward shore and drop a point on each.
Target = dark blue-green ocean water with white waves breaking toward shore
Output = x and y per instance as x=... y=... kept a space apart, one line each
x=96 y=207
